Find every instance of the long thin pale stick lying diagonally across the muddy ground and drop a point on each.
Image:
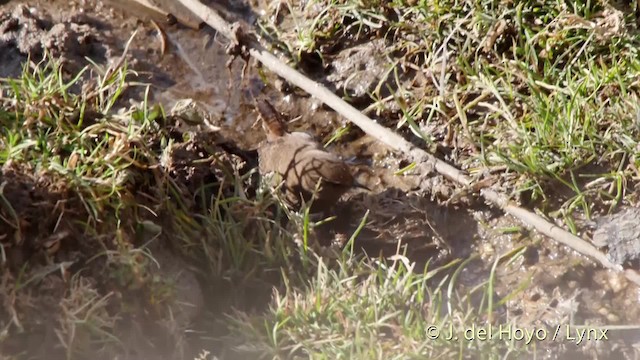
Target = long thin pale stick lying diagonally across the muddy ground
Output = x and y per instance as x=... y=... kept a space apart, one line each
x=394 y=141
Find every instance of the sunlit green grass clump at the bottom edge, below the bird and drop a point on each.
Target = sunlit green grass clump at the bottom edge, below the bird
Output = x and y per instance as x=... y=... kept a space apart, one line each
x=364 y=309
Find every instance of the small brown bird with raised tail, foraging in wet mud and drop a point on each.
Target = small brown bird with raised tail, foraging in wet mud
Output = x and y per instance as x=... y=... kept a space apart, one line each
x=307 y=172
